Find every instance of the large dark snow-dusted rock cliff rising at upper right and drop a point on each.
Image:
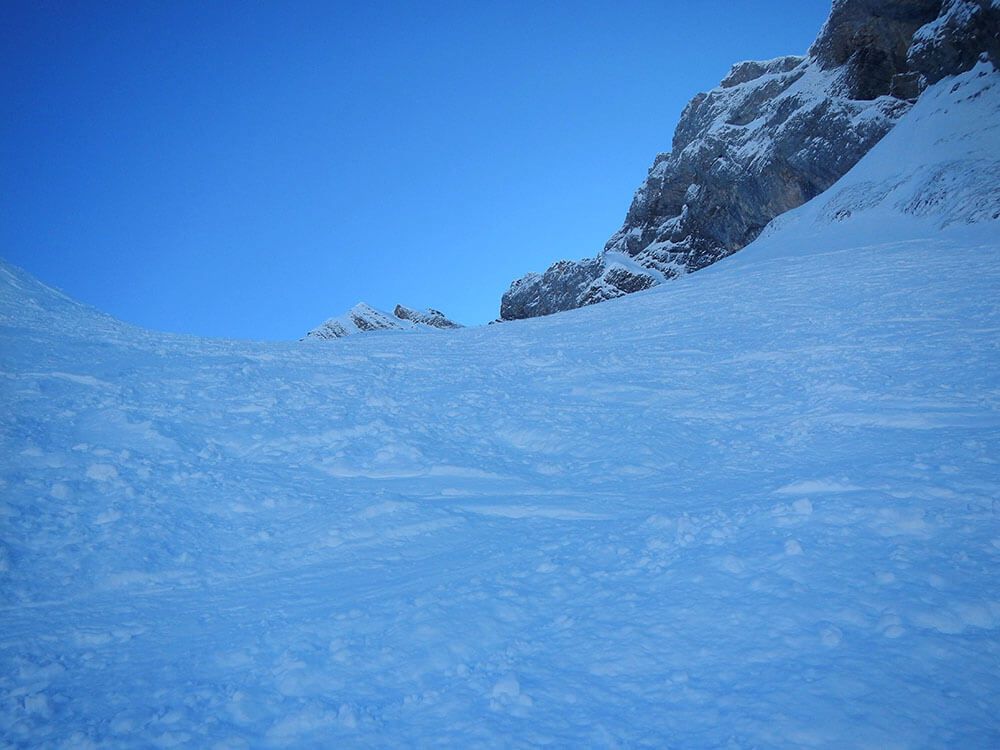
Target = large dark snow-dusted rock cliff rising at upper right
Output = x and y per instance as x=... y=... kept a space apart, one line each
x=773 y=135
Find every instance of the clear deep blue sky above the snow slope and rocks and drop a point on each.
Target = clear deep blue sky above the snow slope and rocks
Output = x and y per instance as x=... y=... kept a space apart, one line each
x=251 y=169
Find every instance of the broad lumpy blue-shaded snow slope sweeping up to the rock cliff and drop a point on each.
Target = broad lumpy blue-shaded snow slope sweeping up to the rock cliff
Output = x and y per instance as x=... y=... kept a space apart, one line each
x=757 y=507
